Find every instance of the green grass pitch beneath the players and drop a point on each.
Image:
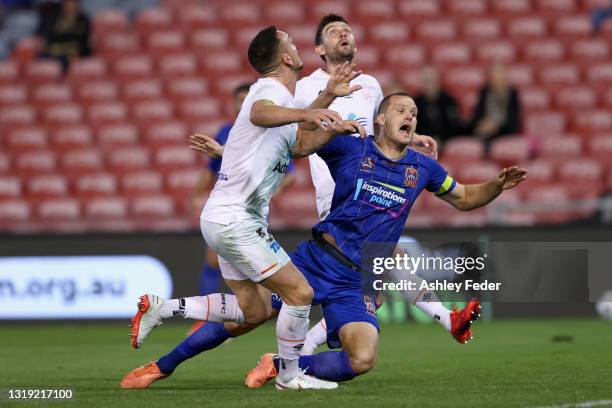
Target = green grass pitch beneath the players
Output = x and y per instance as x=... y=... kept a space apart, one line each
x=511 y=363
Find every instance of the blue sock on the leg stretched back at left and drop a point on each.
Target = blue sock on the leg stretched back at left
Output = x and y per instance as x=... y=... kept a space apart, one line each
x=205 y=338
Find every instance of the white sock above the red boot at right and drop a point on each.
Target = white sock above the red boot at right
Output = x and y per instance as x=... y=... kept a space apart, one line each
x=425 y=300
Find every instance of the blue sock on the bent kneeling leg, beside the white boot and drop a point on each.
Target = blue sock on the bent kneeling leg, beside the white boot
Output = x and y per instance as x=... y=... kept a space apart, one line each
x=328 y=365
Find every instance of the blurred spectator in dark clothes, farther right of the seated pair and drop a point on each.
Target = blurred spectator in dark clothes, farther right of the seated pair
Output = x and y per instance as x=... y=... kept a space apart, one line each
x=498 y=110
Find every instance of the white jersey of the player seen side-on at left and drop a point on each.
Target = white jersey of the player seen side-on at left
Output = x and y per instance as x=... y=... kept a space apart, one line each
x=255 y=159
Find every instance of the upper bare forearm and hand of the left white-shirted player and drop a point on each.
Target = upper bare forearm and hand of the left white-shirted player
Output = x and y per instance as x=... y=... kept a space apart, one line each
x=266 y=114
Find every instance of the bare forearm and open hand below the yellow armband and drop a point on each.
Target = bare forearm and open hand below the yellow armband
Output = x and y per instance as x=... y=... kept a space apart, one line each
x=472 y=196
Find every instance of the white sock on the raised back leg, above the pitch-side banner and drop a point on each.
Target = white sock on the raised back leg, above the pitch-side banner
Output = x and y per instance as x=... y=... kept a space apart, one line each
x=217 y=307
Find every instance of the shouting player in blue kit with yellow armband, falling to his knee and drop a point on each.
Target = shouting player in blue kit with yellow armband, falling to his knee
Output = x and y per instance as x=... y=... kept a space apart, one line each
x=377 y=182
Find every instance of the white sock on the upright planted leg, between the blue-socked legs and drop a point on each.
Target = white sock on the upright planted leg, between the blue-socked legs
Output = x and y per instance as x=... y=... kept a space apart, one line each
x=291 y=329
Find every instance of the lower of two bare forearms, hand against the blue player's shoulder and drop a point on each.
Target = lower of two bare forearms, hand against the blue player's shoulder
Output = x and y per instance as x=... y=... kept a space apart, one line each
x=310 y=141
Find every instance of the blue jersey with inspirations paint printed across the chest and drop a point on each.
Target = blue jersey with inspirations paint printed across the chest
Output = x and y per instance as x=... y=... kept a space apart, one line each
x=373 y=194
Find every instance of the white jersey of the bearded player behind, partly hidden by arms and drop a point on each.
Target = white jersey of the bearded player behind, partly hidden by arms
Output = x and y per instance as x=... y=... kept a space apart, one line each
x=361 y=106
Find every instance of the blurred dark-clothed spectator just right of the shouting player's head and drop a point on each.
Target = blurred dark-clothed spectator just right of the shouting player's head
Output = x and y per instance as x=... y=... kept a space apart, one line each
x=438 y=110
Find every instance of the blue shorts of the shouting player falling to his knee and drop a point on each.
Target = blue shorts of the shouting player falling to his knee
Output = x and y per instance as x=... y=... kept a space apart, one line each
x=337 y=288
